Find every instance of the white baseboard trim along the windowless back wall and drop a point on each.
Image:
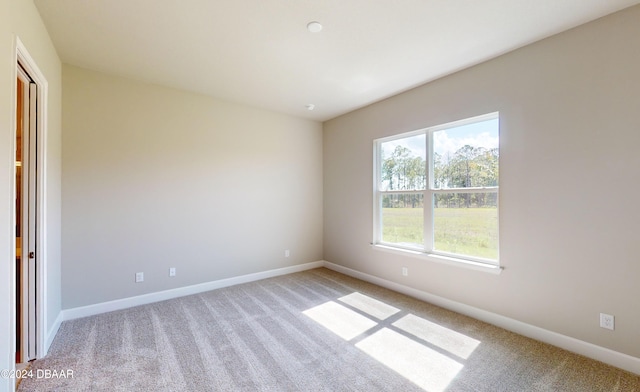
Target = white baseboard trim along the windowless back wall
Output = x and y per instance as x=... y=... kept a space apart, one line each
x=103 y=307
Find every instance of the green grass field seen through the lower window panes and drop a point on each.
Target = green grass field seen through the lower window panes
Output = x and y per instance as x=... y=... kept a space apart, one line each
x=466 y=231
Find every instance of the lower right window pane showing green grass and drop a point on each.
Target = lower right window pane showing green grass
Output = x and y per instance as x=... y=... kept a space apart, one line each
x=466 y=224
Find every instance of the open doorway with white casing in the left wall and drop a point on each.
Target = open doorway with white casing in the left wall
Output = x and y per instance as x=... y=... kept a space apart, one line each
x=29 y=186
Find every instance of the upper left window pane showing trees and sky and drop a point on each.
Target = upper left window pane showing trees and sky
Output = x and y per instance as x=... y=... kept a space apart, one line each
x=403 y=164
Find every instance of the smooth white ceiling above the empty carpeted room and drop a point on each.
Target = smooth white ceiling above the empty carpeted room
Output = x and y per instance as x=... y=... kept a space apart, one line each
x=259 y=52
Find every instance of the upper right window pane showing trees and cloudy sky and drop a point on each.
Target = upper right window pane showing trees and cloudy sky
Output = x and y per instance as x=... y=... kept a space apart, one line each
x=466 y=156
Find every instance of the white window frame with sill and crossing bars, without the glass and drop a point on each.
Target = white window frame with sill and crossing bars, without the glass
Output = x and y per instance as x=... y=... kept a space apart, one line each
x=428 y=193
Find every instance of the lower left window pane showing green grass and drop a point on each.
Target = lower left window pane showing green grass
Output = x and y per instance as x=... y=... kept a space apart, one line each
x=403 y=220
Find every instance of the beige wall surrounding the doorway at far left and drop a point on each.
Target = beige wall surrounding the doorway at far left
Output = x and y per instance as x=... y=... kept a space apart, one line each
x=21 y=19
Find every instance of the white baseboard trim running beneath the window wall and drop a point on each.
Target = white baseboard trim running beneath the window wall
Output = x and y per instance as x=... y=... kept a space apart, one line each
x=602 y=354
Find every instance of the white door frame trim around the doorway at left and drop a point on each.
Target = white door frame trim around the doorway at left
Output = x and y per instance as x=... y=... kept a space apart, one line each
x=27 y=62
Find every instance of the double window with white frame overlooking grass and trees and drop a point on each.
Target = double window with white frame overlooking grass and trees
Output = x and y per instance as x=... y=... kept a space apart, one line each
x=437 y=190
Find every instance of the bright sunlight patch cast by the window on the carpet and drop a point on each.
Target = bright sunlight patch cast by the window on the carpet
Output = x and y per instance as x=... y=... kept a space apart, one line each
x=420 y=350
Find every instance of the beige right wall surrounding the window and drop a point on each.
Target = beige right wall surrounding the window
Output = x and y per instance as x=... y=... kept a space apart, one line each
x=570 y=132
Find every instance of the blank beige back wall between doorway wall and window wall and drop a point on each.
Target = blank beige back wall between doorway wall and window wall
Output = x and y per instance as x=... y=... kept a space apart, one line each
x=156 y=178
